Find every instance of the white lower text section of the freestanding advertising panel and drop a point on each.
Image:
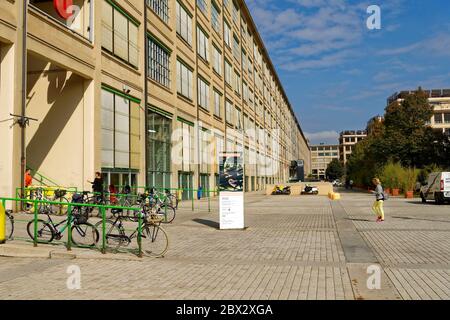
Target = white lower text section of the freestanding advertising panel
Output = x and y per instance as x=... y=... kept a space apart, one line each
x=231 y=210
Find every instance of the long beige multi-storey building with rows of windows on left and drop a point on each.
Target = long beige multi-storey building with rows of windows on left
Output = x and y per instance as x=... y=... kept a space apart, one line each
x=211 y=87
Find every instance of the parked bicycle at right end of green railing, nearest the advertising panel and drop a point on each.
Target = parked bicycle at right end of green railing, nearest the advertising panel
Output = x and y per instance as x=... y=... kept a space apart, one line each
x=154 y=239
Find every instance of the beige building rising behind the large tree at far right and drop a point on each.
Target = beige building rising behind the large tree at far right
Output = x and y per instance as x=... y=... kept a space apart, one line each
x=440 y=101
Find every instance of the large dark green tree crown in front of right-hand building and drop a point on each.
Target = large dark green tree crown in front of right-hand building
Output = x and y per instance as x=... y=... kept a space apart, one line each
x=402 y=137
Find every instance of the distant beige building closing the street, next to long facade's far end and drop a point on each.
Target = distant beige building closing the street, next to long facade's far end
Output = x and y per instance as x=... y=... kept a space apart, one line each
x=321 y=156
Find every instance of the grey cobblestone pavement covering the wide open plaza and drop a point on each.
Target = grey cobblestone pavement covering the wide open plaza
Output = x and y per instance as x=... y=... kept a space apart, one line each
x=293 y=249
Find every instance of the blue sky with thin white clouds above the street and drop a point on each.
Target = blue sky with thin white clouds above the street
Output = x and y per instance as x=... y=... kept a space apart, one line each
x=336 y=72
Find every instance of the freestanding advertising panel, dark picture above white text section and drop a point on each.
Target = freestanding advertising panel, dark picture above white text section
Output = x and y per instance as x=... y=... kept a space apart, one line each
x=231 y=186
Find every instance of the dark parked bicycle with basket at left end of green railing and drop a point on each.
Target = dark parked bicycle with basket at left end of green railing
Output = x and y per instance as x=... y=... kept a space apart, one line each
x=83 y=232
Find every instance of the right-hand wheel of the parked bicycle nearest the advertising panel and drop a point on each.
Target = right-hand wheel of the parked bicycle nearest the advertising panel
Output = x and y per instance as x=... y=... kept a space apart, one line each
x=154 y=241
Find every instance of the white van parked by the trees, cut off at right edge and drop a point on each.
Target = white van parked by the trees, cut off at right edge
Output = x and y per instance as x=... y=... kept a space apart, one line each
x=437 y=188
